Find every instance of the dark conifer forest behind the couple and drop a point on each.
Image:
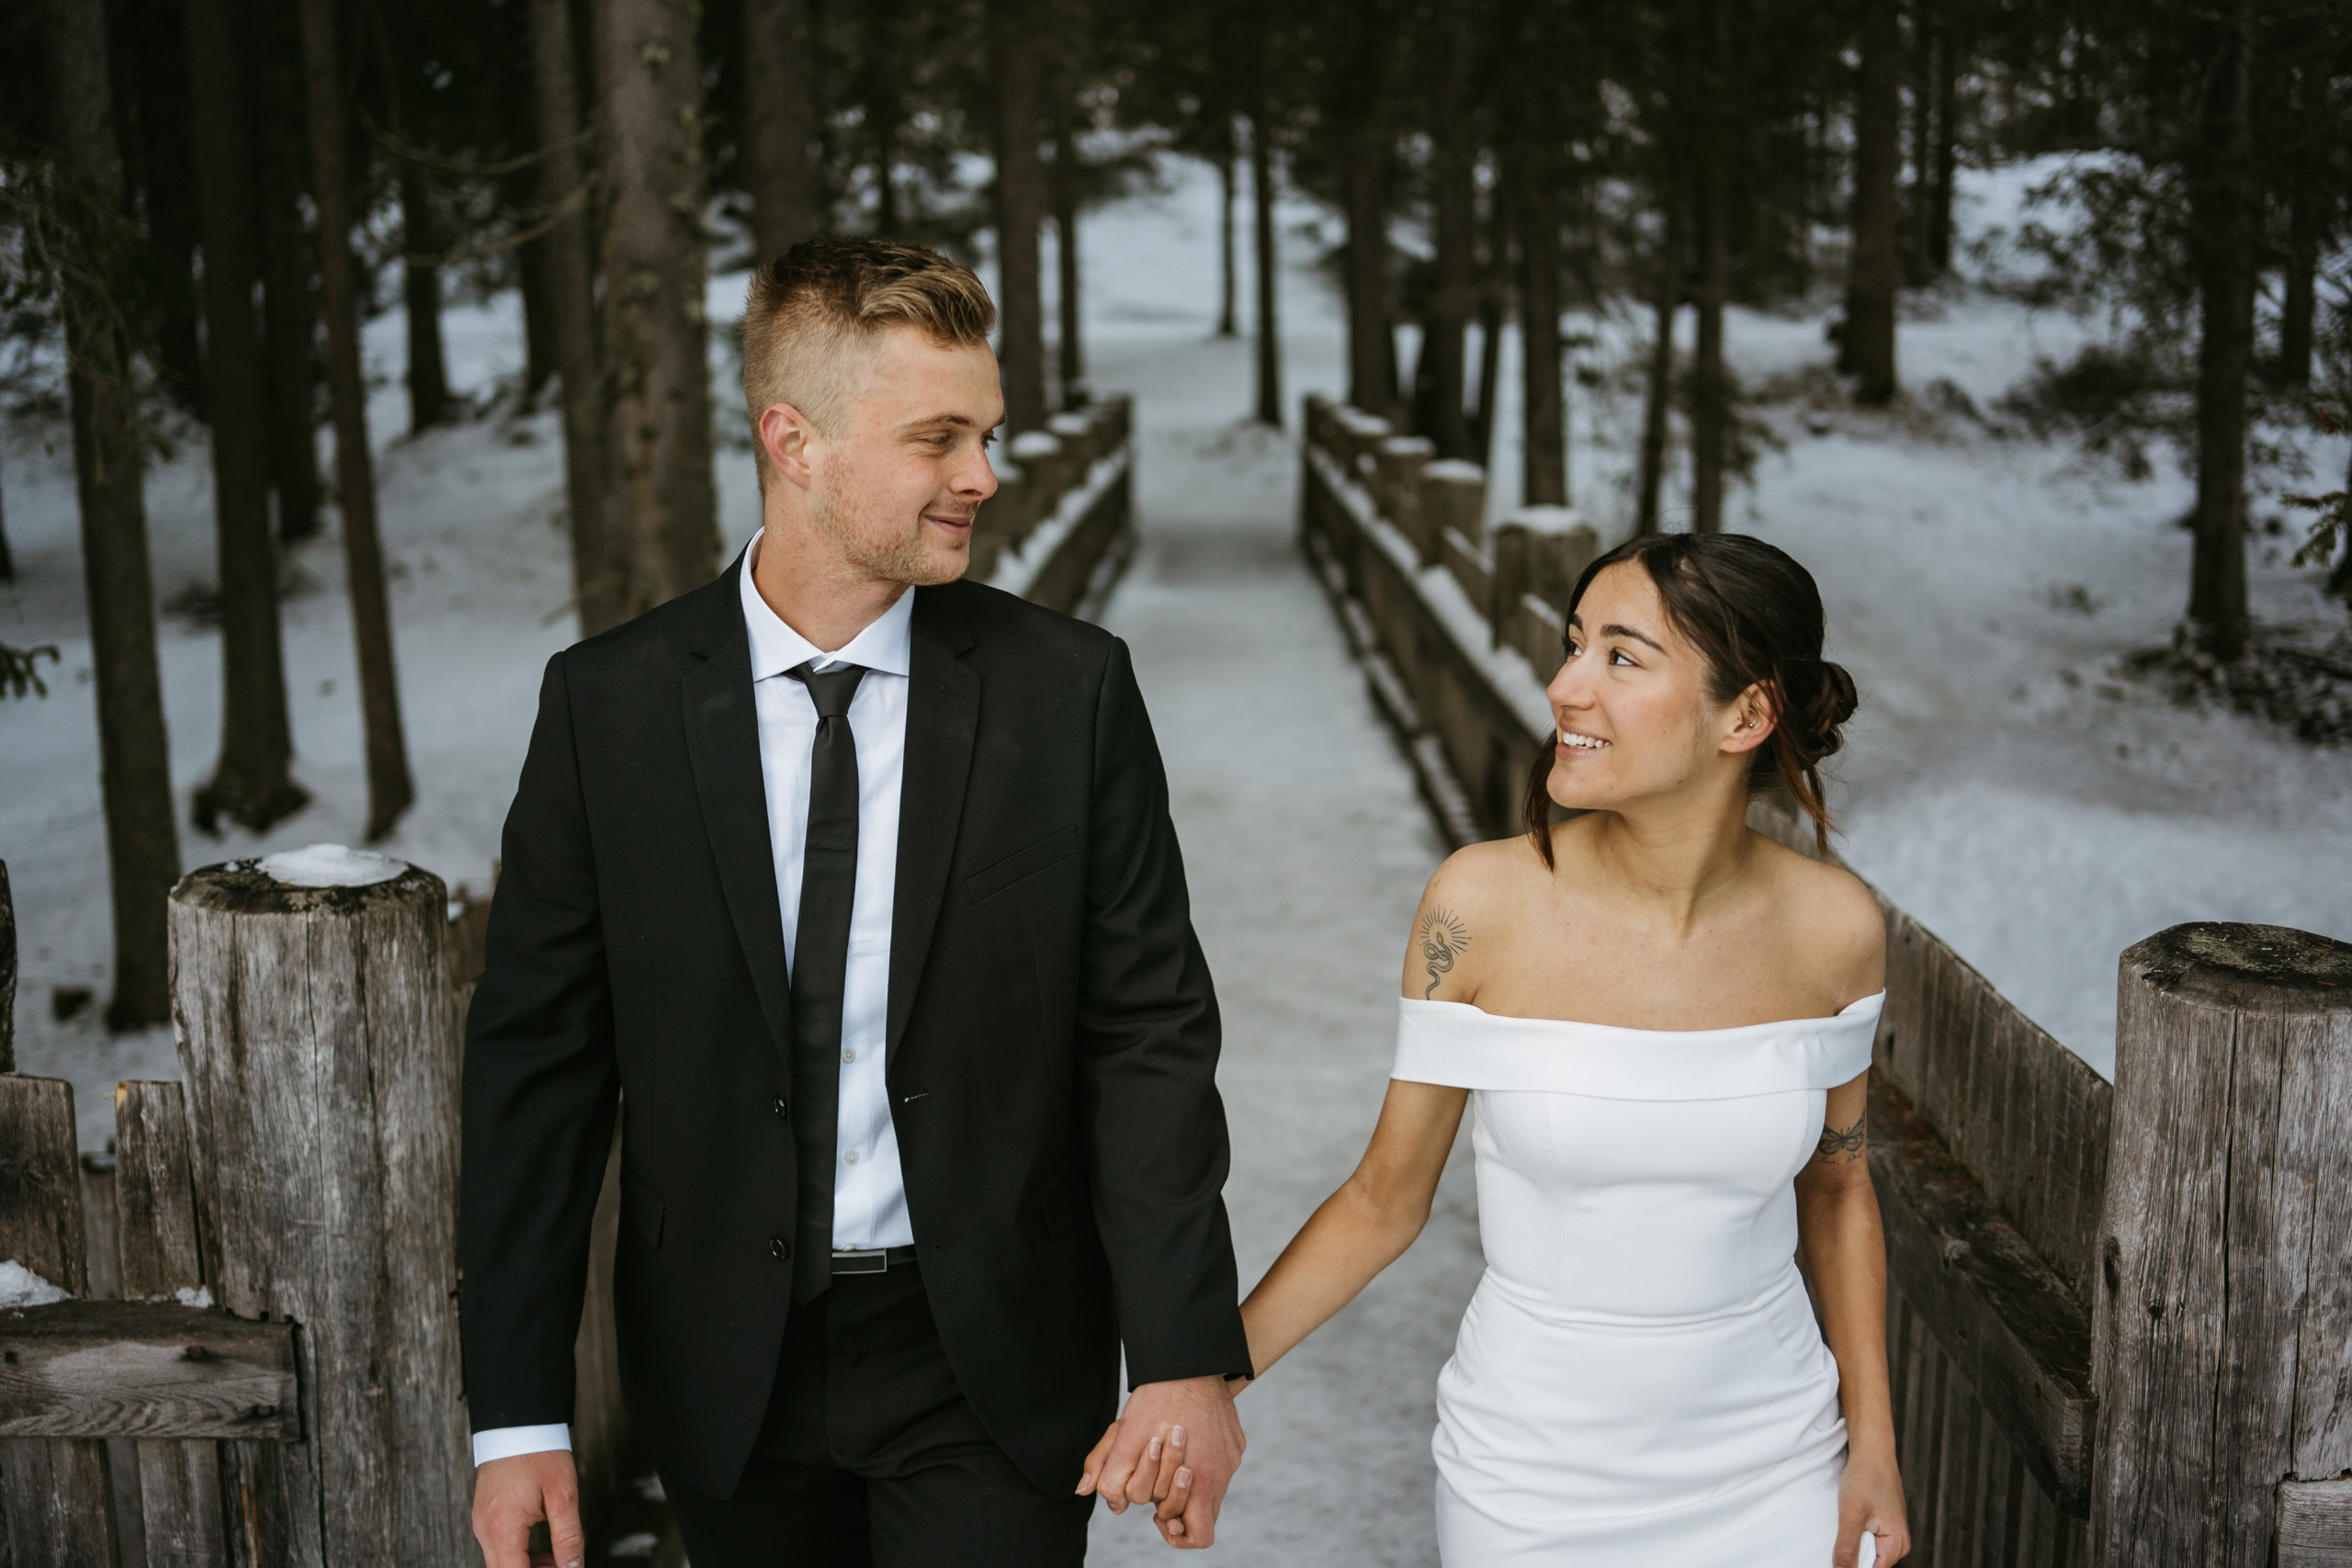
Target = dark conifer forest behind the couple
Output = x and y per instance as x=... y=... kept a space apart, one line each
x=211 y=213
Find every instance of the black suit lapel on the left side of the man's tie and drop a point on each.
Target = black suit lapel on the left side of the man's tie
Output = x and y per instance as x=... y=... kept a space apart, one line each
x=723 y=744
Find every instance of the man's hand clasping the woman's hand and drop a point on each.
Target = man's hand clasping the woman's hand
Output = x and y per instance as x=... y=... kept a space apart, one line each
x=1175 y=1447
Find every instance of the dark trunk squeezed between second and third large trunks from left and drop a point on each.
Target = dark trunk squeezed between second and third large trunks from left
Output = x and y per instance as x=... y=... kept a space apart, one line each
x=290 y=314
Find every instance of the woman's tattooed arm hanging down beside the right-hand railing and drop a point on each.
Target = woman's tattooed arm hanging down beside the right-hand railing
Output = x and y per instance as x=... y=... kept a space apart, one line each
x=1845 y=1252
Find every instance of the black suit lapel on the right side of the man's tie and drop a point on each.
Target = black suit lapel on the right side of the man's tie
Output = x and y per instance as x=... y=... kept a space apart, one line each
x=942 y=723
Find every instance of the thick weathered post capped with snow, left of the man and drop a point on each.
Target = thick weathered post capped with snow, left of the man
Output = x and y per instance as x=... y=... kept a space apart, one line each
x=312 y=998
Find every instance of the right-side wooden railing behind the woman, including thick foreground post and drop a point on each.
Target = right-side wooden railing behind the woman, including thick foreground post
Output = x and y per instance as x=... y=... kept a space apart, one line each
x=2120 y=1315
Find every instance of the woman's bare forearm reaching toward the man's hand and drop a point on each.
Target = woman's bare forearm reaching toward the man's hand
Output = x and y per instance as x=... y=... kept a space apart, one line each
x=1361 y=1228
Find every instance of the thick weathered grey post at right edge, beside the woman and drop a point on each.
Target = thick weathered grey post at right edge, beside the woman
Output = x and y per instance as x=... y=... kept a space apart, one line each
x=2224 y=1320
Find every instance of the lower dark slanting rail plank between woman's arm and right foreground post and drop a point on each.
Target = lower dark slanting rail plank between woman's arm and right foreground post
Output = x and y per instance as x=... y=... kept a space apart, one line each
x=1986 y=1296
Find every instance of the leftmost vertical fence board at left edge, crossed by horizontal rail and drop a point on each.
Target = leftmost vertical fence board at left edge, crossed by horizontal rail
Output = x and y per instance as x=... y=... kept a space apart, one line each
x=55 y=1492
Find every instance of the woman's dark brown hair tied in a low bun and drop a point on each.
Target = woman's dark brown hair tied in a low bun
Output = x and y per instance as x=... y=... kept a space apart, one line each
x=1756 y=615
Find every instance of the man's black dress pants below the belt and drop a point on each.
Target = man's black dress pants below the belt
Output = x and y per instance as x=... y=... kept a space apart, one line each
x=871 y=1456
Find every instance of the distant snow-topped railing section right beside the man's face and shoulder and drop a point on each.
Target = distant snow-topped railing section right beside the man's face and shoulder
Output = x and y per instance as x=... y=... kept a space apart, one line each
x=1060 y=523
